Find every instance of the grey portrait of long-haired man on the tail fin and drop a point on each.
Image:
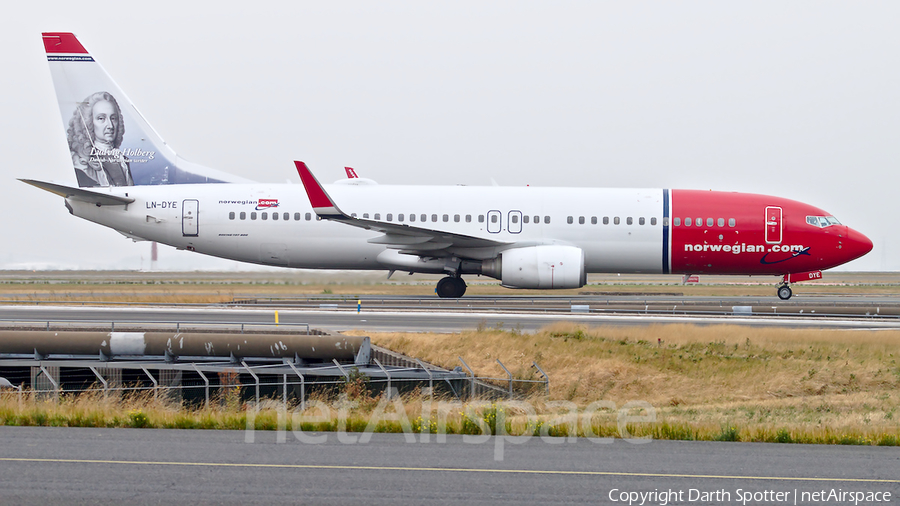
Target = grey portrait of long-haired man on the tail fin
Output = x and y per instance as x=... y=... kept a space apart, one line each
x=95 y=134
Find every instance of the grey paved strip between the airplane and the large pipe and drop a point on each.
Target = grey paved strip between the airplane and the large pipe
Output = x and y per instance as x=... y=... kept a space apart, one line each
x=413 y=320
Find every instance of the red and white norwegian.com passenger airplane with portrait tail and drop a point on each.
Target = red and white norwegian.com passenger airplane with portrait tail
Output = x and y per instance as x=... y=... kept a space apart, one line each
x=529 y=237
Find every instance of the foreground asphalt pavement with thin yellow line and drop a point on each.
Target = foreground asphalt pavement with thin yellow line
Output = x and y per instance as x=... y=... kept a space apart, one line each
x=95 y=466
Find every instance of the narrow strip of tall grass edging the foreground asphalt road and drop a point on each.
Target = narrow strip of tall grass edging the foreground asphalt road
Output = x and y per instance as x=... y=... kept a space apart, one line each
x=411 y=414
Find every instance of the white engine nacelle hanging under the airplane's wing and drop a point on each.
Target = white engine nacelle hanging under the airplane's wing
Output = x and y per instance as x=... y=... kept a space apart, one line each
x=550 y=266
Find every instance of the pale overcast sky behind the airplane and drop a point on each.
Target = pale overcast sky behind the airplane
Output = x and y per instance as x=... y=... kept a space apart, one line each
x=795 y=99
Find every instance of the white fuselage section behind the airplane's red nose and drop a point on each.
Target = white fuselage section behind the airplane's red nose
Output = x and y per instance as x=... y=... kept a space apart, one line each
x=235 y=221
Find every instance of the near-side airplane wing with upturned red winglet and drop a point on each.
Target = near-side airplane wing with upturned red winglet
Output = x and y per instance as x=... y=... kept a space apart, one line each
x=406 y=238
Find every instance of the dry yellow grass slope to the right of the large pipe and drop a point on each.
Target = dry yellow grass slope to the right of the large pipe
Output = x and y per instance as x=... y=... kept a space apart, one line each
x=701 y=377
